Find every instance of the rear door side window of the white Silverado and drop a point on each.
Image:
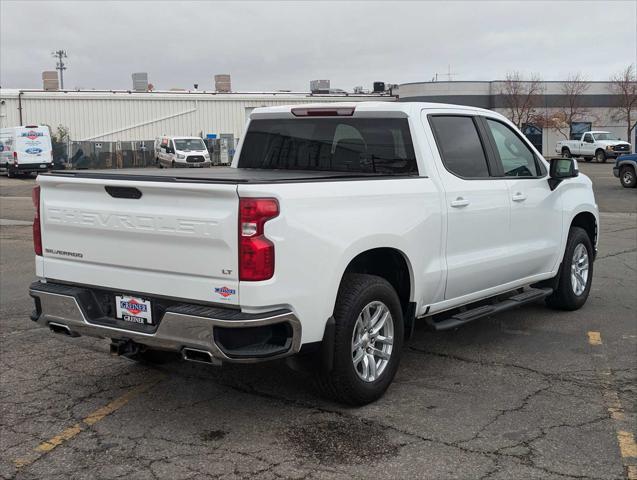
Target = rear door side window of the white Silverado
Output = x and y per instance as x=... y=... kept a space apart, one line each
x=460 y=146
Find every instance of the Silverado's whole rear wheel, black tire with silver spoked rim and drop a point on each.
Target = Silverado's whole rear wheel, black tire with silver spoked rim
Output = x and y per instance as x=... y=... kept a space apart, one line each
x=368 y=340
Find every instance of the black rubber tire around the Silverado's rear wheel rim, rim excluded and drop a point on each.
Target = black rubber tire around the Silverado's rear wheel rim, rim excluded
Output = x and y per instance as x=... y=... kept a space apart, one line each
x=343 y=383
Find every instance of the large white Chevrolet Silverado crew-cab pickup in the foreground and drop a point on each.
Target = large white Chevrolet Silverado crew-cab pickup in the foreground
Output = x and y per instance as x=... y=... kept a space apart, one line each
x=335 y=228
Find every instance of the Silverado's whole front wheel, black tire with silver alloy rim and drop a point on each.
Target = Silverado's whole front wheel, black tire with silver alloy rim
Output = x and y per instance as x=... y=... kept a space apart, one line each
x=576 y=272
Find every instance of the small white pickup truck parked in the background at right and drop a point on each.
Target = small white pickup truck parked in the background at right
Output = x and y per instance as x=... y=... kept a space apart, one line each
x=598 y=145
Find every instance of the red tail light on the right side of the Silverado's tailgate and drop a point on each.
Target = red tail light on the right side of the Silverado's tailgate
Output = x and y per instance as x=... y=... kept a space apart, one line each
x=256 y=252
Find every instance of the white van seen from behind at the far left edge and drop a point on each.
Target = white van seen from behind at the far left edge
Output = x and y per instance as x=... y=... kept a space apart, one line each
x=25 y=149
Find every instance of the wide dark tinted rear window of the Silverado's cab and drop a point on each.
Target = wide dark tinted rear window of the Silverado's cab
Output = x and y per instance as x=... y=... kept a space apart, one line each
x=364 y=145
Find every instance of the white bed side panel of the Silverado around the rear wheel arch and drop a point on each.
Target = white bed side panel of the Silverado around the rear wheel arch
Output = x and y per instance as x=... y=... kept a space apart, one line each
x=322 y=226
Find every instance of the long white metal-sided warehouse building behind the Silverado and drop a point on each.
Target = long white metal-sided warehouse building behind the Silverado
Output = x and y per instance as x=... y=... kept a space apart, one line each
x=132 y=116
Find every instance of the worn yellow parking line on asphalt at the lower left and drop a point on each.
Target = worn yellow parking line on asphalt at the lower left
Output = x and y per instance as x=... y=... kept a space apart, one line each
x=91 y=419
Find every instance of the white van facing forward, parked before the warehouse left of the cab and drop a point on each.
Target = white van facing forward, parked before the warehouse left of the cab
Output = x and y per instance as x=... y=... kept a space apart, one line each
x=181 y=152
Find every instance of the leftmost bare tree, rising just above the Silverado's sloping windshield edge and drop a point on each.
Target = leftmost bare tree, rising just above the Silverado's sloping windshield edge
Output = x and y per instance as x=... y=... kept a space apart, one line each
x=521 y=97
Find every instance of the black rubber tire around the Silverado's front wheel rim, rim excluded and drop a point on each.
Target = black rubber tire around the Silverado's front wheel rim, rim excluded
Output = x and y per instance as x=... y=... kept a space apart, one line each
x=564 y=297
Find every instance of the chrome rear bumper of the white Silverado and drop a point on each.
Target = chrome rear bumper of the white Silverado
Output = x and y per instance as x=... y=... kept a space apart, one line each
x=227 y=335
